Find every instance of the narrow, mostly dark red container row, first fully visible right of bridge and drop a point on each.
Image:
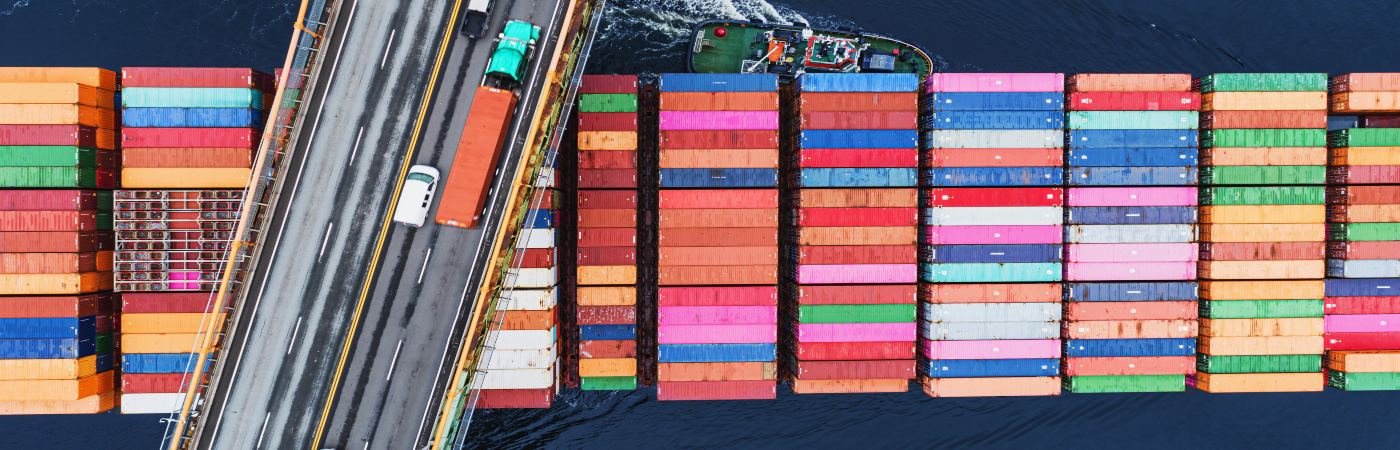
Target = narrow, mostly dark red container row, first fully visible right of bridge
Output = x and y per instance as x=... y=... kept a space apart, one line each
x=607 y=250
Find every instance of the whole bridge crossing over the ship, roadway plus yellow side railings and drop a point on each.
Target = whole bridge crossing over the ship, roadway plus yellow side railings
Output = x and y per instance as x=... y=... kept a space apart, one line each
x=345 y=330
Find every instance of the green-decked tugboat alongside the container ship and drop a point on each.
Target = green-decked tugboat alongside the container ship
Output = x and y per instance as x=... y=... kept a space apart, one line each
x=790 y=51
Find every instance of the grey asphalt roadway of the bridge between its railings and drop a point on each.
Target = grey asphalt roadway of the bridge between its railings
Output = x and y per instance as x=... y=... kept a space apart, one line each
x=283 y=383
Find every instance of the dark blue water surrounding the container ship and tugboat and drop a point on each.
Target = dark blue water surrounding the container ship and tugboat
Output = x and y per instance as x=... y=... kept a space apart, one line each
x=650 y=36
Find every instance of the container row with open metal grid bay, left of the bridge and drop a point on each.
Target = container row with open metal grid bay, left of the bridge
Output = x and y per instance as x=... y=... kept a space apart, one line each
x=188 y=141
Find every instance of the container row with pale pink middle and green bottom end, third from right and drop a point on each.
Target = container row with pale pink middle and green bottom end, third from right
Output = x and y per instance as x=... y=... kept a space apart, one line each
x=1130 y=233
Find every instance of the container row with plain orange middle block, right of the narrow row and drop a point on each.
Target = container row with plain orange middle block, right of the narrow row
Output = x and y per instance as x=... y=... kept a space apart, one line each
x=717 y=238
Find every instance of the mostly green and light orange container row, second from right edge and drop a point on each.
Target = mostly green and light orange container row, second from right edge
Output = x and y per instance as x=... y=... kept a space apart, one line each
x=1263 y=232
